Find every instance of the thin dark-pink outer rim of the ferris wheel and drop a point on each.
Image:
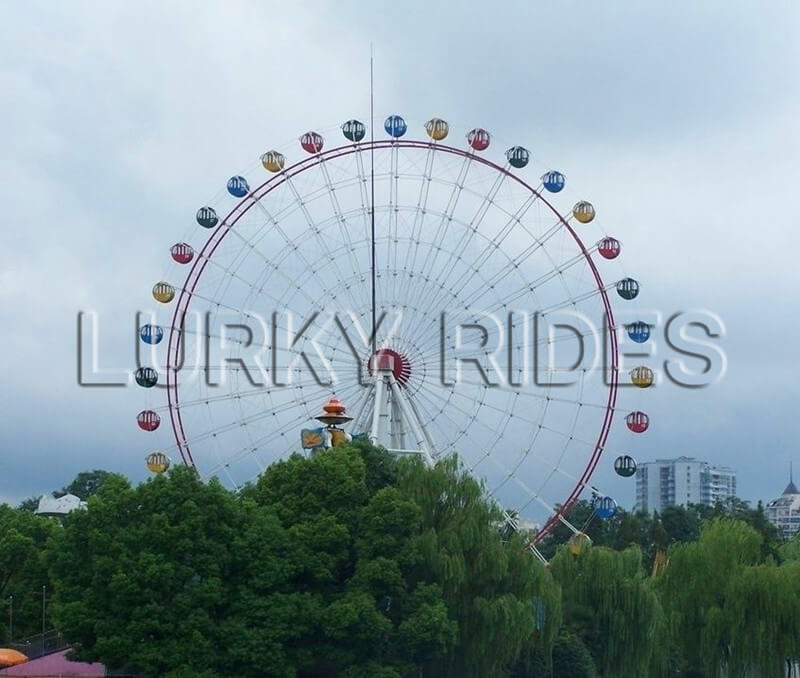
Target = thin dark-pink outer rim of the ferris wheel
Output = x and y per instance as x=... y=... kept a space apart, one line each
x=252 y=198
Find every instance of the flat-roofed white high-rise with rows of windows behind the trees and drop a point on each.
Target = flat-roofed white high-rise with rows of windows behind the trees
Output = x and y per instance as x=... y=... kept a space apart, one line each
x=682 y=481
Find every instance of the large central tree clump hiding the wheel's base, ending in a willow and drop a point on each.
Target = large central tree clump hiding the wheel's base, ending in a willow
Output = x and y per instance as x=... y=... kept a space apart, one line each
x=341 y=564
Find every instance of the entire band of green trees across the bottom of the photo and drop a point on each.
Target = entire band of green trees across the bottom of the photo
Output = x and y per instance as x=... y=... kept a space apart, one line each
x=353 y=564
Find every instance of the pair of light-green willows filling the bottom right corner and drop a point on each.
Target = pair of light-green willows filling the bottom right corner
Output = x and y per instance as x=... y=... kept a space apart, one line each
x=728 y=612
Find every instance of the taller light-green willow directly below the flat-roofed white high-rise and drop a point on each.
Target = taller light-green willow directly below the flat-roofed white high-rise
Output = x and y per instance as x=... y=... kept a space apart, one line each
x=695 y=589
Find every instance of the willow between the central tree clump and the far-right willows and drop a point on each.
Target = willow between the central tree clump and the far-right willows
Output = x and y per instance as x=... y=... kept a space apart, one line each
x=610 y=604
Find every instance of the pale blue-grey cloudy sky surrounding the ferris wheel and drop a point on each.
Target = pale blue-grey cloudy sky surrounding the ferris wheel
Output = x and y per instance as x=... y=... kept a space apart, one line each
x=678 y=119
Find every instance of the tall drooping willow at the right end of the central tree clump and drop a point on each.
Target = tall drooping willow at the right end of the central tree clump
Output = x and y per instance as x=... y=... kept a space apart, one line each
x=504 y=600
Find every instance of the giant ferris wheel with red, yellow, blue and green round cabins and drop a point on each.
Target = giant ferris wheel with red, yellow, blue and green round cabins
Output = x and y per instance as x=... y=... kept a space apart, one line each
x=431 y=296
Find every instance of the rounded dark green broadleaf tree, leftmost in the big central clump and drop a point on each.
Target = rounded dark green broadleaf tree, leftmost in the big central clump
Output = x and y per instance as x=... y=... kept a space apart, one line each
x=141 y=575
